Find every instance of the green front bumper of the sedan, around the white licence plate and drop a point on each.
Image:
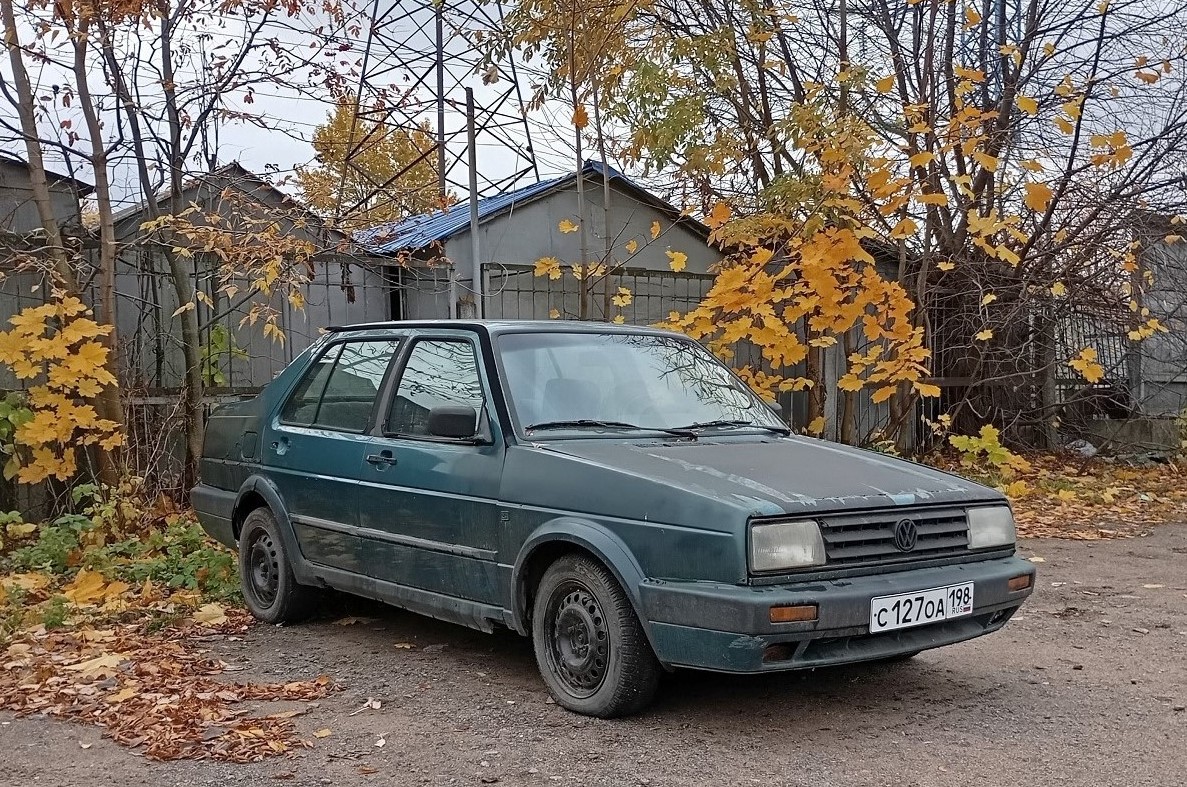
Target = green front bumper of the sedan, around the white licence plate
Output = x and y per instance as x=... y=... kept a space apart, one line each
x=728 y=627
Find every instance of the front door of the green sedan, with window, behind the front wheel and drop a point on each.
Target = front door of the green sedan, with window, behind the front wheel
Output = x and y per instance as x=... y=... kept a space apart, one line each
x=428 y=505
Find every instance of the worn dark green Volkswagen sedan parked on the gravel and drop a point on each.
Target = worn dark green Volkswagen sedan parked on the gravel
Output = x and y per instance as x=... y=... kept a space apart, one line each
x=617 y=494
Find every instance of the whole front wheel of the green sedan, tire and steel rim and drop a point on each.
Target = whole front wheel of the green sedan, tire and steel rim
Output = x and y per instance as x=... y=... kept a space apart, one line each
x=589 y=644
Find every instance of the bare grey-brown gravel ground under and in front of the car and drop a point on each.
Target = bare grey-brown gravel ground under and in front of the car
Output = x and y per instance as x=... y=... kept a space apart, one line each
x=1087 y=687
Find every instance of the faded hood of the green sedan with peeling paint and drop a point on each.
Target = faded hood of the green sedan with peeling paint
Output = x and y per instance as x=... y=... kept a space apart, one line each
x=772 y=477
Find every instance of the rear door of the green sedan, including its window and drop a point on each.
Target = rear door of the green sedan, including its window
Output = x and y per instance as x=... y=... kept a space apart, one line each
x=319 y=441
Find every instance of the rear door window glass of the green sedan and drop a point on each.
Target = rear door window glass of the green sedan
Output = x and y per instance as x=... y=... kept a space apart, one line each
x=339 y=392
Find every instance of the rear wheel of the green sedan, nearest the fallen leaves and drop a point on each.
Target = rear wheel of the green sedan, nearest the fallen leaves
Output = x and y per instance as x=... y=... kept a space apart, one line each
x=266 y=574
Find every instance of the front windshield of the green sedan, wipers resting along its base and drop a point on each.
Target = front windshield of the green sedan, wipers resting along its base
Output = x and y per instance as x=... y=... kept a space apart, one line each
x=624 y=380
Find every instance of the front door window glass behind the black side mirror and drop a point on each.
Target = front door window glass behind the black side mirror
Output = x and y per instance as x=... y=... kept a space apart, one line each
x=439 y=373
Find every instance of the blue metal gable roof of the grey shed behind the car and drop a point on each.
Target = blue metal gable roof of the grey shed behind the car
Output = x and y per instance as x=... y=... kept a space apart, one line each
x=421 y=232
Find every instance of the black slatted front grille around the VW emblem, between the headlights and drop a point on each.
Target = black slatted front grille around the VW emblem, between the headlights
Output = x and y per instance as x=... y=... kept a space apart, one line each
x=860 y=540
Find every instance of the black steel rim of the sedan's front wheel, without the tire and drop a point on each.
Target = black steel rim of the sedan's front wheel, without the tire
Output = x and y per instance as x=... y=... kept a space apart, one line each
x=577 y=640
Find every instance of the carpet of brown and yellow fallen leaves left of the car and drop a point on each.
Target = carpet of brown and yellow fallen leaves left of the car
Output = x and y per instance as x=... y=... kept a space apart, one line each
x=151 y=690
